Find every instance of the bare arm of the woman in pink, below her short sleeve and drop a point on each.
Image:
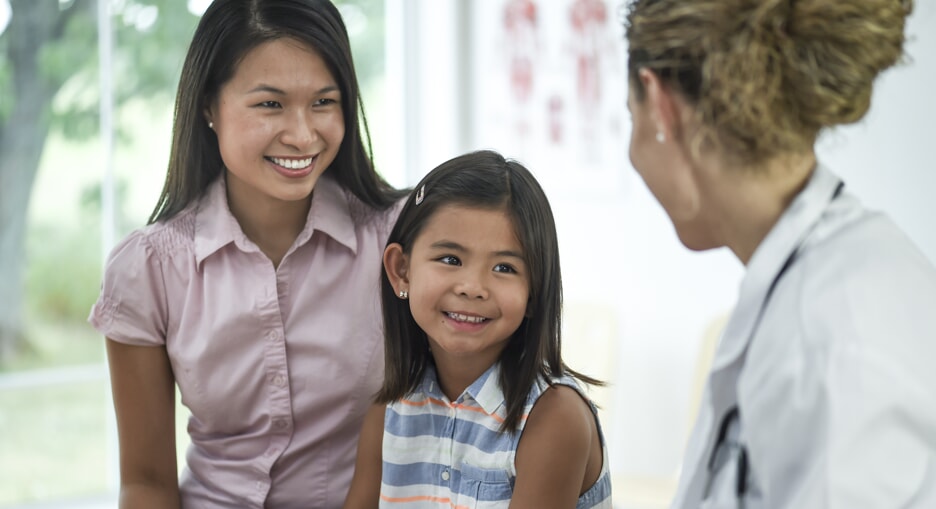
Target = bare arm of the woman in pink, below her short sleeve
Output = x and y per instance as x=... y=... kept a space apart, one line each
x=143 y=388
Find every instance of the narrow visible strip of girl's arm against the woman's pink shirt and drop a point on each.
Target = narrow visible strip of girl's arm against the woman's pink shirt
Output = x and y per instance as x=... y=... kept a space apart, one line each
x=365 y=485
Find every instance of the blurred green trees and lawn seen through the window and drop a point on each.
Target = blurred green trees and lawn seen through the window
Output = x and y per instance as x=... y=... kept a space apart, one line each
x=56 y=435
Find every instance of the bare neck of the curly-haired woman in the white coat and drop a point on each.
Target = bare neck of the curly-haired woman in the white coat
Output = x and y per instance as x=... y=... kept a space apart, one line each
x=753 y=199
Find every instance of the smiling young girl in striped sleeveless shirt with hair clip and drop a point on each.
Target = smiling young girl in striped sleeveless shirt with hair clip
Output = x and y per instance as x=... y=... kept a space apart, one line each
x=477 y=408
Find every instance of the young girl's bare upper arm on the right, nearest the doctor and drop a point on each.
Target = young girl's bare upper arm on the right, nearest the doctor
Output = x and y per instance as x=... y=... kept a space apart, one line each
x=560 y=453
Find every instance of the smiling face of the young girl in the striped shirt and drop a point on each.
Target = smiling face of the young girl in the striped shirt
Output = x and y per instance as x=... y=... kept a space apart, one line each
x=468 y=283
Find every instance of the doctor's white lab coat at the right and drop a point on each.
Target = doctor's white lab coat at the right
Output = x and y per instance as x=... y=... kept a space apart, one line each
x=832 y=372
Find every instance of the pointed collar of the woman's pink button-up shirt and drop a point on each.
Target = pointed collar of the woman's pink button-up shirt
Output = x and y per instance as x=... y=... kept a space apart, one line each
x=215 y=226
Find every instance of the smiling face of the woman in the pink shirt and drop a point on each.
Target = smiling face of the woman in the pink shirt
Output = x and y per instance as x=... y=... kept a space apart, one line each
x=279 y=123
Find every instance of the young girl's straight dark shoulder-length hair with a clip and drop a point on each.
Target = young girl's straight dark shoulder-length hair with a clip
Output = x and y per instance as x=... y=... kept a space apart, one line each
x=484 y=179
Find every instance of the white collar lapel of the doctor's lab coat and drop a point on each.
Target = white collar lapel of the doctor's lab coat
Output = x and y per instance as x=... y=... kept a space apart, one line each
x=769 y=259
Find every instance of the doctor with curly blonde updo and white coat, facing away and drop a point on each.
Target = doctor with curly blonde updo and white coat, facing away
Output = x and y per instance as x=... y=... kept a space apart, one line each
x=822 y=391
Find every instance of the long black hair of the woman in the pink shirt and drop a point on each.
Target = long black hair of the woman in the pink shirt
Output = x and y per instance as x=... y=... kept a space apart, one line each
x=227 y=31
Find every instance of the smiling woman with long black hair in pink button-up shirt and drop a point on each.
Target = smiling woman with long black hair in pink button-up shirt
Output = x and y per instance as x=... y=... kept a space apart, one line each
x=254 y=288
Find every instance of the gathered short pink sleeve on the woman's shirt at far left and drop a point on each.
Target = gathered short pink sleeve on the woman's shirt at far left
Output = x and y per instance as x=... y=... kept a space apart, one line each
x=132 y=306
